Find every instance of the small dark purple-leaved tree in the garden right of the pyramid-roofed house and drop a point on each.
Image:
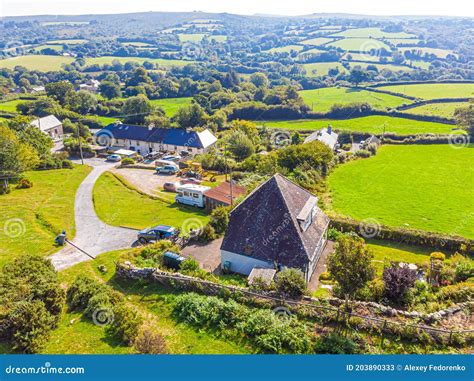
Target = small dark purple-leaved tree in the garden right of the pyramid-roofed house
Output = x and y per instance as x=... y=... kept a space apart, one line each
x=398 y=280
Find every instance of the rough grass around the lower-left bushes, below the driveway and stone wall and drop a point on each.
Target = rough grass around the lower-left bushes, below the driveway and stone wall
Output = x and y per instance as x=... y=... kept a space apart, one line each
x=76 y=335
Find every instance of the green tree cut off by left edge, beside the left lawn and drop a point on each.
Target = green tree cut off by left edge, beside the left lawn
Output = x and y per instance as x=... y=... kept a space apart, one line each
x=15 y=156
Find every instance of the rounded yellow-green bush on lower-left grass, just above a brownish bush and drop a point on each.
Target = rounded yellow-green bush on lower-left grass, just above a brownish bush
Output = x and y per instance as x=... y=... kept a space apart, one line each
x=126 y=323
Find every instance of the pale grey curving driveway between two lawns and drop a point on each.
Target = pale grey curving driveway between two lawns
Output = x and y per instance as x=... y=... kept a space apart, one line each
x=92 y=235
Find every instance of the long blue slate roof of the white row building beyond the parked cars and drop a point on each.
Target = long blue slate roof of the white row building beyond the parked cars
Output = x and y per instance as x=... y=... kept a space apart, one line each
x=171 y=136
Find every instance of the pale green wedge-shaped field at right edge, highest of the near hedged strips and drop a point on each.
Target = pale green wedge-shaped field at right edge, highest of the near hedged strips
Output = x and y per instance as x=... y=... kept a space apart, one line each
x=434 y=90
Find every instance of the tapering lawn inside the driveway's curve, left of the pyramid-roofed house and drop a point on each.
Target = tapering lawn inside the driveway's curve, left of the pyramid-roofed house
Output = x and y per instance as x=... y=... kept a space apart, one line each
x=120 y=206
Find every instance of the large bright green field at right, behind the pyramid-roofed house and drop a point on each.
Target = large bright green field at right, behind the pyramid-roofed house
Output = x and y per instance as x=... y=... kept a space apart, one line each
x=415 y=186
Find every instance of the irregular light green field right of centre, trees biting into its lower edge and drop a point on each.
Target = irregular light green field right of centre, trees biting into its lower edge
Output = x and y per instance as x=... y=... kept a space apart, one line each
x=321 y=100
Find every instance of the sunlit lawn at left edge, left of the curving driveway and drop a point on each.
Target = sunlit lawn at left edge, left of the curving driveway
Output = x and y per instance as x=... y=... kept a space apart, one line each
x=34 y=216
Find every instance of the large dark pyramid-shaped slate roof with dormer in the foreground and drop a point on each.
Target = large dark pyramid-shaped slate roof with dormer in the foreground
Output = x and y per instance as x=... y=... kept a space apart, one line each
x=265 y=225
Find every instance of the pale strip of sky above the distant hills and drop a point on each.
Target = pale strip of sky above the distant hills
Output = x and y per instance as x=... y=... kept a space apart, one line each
x=282 y=7
